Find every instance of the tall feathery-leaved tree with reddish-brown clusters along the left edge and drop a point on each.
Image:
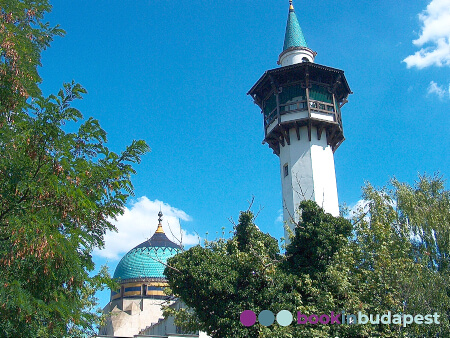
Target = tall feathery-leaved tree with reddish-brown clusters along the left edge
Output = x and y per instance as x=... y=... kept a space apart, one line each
x=59 y=191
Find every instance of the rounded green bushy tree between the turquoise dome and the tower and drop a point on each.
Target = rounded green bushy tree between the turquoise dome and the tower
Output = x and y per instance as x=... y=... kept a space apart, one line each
x=224 y=278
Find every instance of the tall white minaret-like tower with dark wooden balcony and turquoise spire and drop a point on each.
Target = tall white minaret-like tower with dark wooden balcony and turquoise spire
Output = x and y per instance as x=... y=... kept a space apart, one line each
x=301 y=104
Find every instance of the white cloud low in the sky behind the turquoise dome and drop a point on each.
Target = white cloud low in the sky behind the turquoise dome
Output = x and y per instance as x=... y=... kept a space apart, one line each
x=139 y=222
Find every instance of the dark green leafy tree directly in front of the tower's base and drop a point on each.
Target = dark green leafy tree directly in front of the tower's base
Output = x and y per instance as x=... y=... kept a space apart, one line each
x=315 y=257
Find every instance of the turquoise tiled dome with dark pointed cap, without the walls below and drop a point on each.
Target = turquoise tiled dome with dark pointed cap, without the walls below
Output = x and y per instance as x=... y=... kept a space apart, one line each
x=144 y=261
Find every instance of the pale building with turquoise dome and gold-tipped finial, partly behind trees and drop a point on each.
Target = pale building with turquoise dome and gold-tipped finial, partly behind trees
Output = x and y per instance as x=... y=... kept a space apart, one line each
x=135 y=309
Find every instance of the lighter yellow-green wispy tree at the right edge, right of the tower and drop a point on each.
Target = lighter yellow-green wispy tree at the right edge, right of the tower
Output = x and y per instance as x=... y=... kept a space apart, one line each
x=399 y=255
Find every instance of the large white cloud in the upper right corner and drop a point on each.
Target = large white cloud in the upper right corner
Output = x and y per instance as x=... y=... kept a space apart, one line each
x=436 y=34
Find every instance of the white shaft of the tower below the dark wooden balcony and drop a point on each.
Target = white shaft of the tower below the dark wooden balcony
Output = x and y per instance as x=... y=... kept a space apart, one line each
x=311 y=174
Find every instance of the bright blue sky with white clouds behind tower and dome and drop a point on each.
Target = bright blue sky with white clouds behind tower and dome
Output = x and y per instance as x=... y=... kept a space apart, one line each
x=176 y=74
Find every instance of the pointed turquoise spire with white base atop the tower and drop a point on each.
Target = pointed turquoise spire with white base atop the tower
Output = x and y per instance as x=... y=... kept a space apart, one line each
x=295 y=49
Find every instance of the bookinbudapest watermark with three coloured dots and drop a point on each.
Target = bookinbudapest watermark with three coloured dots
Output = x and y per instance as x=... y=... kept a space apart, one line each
x=285 y=318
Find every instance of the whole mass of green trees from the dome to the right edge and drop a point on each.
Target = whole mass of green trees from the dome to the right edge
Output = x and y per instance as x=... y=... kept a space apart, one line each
x=393 y=256
